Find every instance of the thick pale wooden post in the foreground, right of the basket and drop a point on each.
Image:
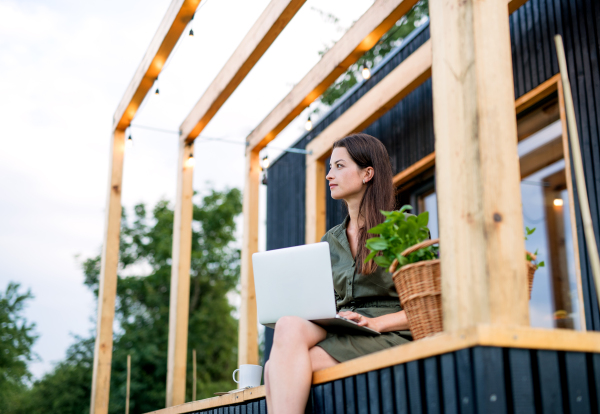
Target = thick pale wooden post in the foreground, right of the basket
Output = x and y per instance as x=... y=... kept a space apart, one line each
x=481 y=225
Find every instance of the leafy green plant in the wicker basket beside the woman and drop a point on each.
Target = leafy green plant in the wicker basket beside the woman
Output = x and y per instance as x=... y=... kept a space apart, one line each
x=397 y=233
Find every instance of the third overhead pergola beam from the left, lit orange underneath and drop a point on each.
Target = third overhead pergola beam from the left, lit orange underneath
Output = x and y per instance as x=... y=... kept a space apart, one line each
x=361 y=37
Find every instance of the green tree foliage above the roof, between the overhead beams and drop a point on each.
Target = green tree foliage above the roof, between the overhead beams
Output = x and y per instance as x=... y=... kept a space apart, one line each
x=386 y=44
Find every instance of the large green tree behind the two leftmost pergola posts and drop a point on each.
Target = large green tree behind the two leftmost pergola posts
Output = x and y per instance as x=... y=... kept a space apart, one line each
x=142 y=312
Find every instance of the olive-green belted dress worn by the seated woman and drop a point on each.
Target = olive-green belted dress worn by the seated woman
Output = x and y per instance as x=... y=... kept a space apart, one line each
x=371 y=295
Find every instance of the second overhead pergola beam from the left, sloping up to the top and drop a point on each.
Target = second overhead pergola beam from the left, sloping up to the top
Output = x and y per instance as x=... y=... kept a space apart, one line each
x=263 y=33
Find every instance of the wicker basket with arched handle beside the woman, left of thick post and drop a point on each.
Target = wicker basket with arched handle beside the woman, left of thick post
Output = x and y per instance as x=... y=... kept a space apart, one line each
x=419 y=286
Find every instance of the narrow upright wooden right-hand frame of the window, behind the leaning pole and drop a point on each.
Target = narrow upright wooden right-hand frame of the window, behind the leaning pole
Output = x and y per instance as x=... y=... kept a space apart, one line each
x=572 y=214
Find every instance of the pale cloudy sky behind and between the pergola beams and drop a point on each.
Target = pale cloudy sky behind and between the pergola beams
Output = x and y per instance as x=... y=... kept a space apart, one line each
x=64 y=66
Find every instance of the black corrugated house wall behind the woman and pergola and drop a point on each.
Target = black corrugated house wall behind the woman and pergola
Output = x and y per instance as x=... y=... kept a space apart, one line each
x=407 y=129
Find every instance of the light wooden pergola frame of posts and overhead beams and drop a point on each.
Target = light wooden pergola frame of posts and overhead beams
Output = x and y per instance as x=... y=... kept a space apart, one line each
x=469 y=59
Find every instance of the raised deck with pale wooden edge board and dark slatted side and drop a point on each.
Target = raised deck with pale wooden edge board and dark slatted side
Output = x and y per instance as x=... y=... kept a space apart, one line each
x=478 y=370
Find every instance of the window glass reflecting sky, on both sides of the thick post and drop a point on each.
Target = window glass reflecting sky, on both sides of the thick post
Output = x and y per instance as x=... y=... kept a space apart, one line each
x=554 y=299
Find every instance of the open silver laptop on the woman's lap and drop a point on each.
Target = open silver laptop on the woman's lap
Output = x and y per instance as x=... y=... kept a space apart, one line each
x=297 y=281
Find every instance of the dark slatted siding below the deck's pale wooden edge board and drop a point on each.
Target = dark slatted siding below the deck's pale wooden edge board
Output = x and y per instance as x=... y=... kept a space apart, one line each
x=484 y=380
